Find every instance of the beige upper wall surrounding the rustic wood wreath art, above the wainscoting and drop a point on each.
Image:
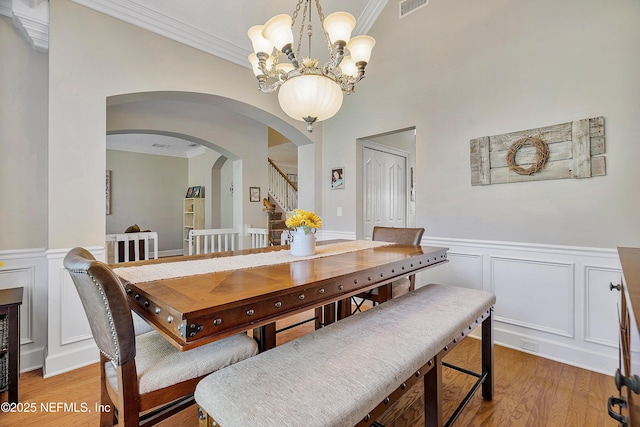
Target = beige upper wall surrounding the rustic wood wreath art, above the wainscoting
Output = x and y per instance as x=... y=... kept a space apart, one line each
x=476 y=68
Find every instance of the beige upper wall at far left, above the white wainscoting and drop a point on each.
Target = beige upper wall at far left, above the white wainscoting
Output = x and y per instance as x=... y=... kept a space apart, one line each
x=23 y=142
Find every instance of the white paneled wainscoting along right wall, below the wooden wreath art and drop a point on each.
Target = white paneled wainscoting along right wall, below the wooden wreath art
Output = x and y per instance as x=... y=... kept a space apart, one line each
x=552 y=301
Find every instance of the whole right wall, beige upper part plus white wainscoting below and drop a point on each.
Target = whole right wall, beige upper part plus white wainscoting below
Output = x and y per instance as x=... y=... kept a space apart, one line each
x=472 y=68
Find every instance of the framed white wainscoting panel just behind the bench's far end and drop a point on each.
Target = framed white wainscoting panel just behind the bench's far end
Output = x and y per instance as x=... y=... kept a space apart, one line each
x=534 y=294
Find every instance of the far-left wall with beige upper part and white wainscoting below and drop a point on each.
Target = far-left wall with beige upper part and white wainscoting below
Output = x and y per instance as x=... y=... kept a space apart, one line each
x=23 y=186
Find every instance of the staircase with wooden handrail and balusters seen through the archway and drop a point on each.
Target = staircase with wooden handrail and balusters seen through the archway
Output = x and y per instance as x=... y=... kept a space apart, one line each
x=283 y=197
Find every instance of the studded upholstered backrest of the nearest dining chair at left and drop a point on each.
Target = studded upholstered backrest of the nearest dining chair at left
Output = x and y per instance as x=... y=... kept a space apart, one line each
x=105 y=303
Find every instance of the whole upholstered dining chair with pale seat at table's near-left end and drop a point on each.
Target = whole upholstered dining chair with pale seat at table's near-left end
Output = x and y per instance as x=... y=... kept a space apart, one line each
x=144 y=378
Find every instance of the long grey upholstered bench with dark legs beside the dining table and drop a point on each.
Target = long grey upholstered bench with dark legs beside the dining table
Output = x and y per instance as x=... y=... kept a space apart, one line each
x=348 y=373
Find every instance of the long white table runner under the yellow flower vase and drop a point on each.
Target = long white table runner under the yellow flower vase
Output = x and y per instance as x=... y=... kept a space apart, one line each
x=171 y=270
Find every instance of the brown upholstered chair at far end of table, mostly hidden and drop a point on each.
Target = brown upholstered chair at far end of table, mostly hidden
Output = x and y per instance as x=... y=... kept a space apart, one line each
x=404 y=236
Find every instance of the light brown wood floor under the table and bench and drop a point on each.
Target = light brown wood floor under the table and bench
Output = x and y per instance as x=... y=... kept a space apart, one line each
x=529 y=391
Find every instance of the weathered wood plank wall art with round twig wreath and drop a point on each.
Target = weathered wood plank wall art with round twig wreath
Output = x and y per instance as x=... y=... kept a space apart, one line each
x=568 y=150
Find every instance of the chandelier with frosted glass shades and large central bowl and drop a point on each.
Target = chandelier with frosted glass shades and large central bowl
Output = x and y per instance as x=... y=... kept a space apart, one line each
x=307 y=91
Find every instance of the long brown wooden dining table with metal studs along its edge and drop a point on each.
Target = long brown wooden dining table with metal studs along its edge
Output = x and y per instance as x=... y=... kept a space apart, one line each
x=193 y=310
